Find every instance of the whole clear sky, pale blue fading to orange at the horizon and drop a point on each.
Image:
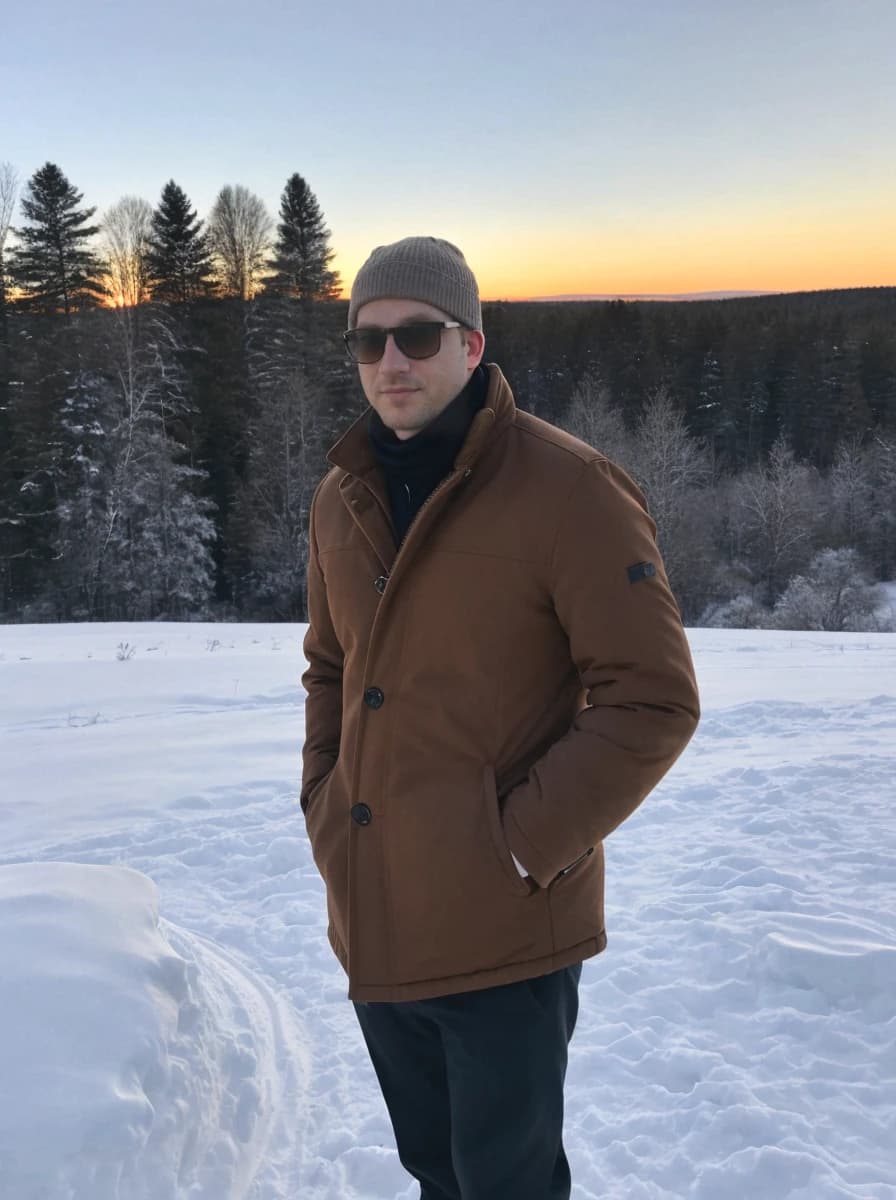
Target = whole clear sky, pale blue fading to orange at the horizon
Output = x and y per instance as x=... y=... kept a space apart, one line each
x=579 y=147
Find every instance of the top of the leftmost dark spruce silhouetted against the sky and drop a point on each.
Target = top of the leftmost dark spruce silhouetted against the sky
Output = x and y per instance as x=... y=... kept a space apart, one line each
x=53 y=267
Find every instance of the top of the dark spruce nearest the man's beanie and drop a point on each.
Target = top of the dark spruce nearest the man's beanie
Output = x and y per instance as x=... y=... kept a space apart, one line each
x=303 y=255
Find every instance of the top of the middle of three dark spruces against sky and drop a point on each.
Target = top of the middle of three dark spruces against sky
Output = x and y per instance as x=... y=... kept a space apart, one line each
x=178 y=261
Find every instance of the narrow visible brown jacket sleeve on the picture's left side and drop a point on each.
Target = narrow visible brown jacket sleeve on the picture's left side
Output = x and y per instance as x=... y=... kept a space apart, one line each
x=323 y=677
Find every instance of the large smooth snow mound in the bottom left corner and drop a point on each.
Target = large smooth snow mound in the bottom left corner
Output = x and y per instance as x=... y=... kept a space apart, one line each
x=137 y=1061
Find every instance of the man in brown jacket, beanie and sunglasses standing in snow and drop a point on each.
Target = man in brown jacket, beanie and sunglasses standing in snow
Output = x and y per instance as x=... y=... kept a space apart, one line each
x=497 y=677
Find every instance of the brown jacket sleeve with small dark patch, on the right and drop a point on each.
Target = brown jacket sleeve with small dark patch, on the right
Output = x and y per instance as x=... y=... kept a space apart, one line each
x=612 y=597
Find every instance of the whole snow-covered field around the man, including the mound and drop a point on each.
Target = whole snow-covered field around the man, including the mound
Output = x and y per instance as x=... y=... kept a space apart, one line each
x=173 y=1025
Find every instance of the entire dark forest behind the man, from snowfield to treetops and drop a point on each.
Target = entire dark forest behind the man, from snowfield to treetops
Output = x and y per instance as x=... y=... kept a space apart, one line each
x=170 y=387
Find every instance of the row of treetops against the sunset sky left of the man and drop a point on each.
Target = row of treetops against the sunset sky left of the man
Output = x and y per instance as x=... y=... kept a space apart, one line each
x=64 y=263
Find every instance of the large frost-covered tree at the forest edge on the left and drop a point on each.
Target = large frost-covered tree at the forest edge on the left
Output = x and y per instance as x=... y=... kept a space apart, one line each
x=134 y=533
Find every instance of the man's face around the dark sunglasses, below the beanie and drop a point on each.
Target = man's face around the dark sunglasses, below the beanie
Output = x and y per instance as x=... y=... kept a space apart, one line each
x=408 y=394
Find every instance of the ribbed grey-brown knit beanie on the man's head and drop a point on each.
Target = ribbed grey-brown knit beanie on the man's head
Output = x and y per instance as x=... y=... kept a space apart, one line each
x=426 y=269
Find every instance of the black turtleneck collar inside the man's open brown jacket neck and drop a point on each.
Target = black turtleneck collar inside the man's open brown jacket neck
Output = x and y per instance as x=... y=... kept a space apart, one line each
x=414 y=467
